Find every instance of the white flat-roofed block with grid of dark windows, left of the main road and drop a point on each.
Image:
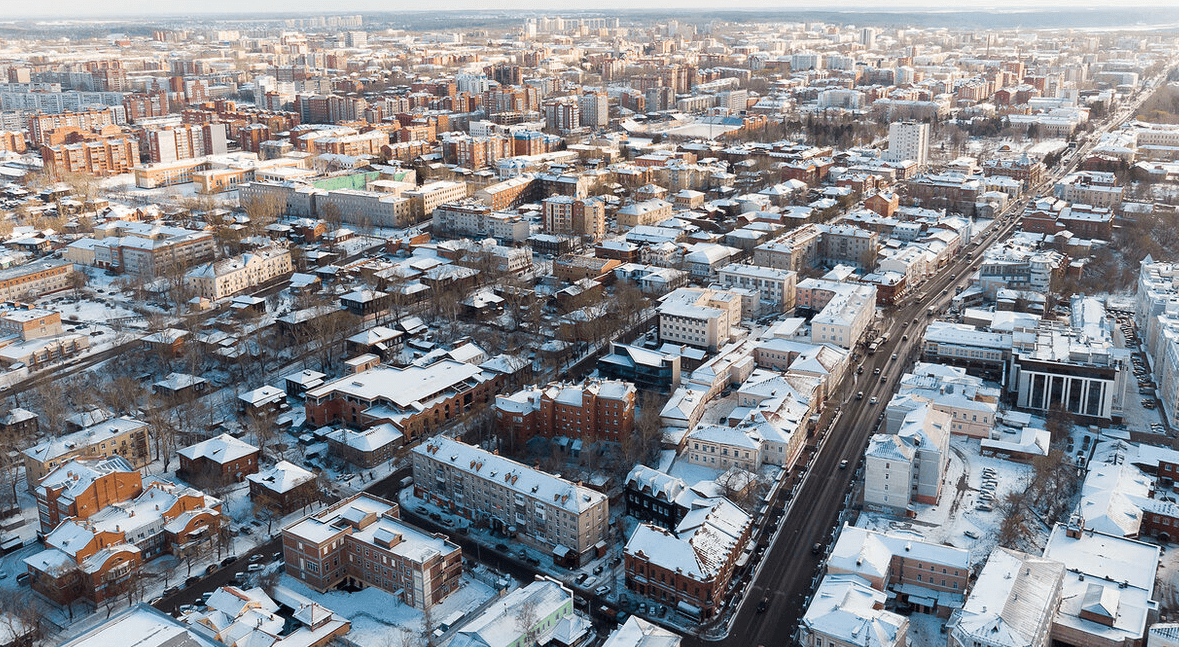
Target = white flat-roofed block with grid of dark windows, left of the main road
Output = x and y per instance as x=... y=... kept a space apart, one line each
x=700 y=318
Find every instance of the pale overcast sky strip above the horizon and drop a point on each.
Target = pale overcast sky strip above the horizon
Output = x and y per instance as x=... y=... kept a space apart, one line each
x=65 y=10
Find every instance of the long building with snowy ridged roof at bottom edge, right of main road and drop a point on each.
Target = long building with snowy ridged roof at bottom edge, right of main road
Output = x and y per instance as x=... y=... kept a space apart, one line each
x=1012 y=605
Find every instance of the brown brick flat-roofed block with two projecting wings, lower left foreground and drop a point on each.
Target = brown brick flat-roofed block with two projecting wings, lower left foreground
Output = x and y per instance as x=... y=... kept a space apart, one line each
x=363 y=542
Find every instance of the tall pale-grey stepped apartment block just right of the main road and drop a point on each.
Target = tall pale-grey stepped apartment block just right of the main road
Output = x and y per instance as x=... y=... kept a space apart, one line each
x=907 y=467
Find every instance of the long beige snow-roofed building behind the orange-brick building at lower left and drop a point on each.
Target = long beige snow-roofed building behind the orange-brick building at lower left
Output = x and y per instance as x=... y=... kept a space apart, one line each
x=123 y=437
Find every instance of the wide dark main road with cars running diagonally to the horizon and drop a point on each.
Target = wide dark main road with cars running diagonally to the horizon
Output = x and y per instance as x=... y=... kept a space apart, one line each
x=789 y=566
